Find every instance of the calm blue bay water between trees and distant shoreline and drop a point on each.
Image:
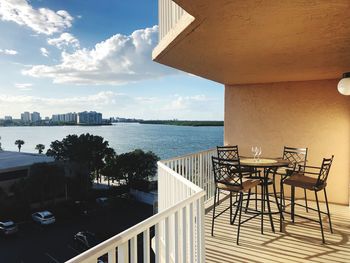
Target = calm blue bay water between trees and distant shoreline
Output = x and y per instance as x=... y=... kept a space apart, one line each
x=164 y=140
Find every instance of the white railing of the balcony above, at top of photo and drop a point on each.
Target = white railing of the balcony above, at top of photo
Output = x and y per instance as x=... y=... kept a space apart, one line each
x=169 y=14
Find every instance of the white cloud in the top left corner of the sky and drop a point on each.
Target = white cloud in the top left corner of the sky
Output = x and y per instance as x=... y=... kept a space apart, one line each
x=42 y=20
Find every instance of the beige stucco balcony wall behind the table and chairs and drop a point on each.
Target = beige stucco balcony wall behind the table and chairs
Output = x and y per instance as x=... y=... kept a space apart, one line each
x=298 y=114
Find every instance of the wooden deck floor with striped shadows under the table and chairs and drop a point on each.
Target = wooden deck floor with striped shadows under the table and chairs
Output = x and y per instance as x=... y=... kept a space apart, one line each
x=299 y=242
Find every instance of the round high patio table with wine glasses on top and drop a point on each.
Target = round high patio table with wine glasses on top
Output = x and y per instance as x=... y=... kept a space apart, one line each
x=269 y=165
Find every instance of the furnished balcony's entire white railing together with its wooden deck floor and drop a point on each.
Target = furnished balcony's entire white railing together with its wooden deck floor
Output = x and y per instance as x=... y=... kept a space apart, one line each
x=180 y=231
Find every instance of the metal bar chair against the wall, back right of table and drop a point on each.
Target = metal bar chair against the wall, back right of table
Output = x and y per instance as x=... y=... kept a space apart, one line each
x=297 y=158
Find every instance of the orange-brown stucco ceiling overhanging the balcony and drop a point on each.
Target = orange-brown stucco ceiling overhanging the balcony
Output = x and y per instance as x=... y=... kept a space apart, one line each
x=246 y=41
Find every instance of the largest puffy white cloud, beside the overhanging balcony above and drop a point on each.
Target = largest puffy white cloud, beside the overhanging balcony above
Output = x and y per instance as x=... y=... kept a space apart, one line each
x=118 y=60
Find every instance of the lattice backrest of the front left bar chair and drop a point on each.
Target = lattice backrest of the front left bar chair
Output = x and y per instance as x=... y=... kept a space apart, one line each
x=227 y=171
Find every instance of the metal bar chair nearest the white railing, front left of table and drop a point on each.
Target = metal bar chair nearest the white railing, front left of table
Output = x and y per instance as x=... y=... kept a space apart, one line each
x=228 y=177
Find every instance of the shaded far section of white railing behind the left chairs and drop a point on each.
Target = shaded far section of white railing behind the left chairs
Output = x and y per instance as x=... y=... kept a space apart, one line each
x=197 y=168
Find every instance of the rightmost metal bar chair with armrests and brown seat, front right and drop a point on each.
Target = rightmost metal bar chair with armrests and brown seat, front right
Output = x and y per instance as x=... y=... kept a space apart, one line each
x=310 y=183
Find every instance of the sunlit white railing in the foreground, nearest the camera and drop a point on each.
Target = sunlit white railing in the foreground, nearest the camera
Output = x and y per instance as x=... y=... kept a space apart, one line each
x=174 y=234
